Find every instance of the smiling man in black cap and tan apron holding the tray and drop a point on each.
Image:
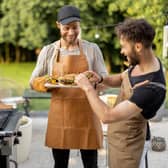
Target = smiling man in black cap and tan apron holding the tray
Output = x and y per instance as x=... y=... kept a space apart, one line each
x=71 y=123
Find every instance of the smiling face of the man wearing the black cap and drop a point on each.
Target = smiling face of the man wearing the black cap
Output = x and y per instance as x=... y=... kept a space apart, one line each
x=69 y=32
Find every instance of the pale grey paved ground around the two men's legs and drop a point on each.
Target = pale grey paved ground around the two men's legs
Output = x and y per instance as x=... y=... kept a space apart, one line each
x=40 y=156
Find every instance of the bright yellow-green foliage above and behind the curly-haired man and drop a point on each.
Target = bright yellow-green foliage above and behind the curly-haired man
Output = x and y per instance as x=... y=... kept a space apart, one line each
x=153 y=11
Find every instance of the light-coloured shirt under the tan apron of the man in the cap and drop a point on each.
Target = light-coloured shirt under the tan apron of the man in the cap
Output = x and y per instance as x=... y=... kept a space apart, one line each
x=91 y=50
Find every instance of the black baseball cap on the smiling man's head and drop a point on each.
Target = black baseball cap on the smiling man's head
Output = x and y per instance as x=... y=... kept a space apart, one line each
x=68 y=14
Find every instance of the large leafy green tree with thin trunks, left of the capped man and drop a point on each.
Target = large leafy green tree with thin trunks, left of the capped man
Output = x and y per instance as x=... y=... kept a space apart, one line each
x=25 y=24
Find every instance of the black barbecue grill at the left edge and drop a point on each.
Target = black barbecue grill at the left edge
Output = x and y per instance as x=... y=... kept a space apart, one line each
x=9 y=123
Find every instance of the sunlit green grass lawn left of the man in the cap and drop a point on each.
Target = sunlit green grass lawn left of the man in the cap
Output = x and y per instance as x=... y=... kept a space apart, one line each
x=19 y=74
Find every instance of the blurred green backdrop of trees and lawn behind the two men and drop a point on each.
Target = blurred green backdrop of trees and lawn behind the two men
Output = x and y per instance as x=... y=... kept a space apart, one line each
x=27 y=25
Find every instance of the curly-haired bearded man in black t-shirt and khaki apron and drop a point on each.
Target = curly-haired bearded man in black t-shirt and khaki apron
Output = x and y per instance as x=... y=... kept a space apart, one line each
x=142 y=93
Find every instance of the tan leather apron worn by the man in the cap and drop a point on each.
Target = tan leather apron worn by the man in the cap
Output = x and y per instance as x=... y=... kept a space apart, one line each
x=71 y=122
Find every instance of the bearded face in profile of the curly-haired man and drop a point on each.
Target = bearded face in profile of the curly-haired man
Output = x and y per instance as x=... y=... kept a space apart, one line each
x=129 y=51
